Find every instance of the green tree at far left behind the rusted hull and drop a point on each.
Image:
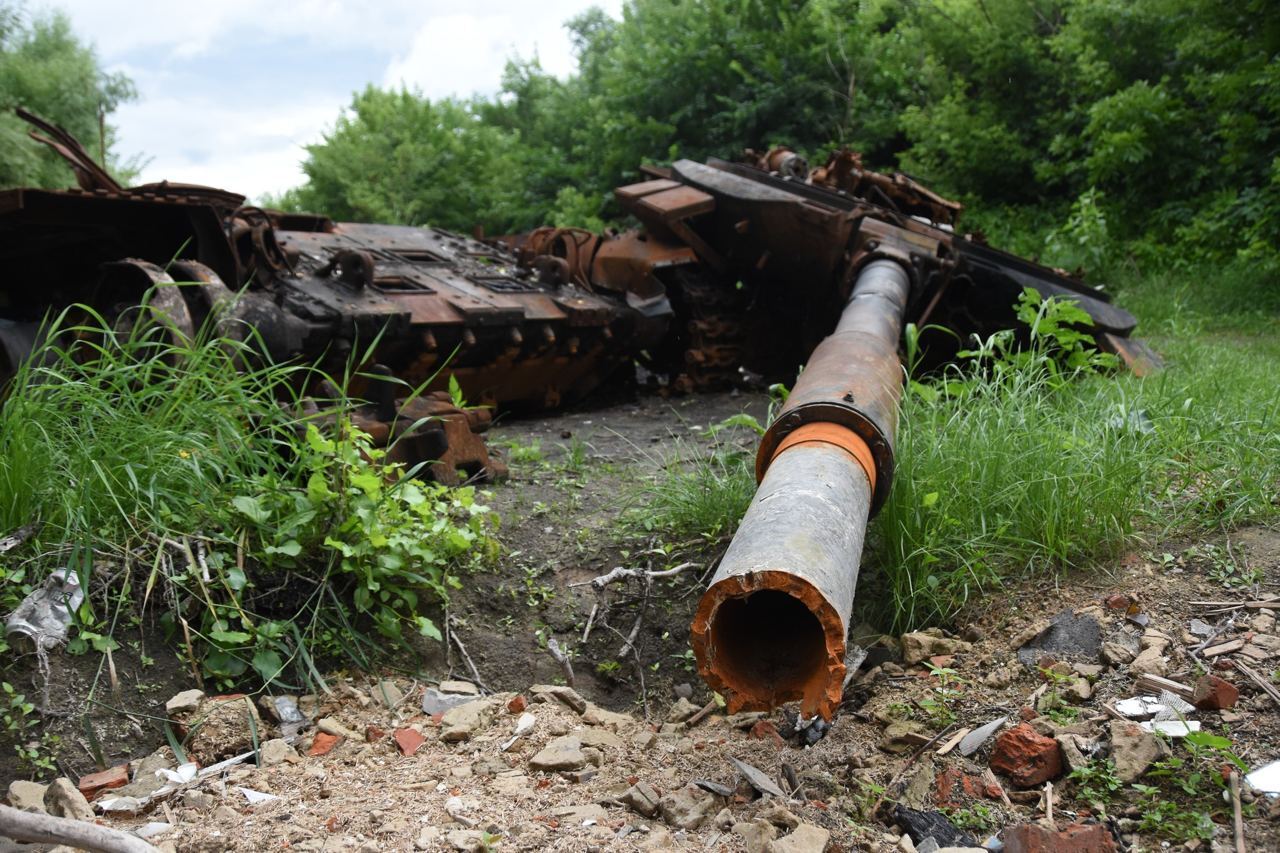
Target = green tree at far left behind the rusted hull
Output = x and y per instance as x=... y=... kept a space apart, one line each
x=47 y=70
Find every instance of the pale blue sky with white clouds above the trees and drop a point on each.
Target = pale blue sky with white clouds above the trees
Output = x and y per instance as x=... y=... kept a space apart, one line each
x=230 y=92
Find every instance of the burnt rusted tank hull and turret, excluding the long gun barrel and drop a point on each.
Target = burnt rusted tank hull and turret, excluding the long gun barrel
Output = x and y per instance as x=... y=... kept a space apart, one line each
x=737 y=273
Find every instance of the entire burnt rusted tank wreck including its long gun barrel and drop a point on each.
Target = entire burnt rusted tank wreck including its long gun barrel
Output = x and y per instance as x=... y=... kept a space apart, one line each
x=746 y=270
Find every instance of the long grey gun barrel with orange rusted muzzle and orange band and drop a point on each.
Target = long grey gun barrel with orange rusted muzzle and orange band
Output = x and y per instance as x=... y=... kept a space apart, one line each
x=772 y=626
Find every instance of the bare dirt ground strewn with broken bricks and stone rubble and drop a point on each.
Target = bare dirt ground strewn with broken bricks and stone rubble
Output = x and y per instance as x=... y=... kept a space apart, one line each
x=1016 y=732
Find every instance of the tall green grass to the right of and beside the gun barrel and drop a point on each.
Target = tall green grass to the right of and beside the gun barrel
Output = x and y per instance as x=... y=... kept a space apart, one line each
x=1023 y=473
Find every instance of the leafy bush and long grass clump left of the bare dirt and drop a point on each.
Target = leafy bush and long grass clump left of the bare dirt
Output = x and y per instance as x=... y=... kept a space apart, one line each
x=268 y=535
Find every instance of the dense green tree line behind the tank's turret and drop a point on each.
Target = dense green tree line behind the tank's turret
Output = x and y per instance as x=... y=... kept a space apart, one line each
x=1086 y=130
